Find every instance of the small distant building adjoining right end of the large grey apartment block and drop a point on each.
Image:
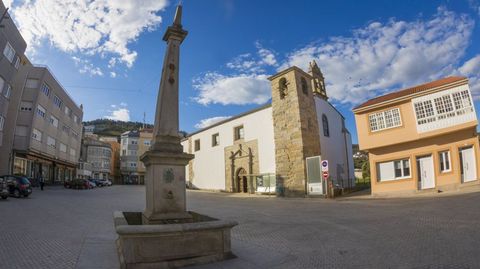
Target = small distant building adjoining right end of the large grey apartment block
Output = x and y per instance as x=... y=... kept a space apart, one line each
x=99 y=155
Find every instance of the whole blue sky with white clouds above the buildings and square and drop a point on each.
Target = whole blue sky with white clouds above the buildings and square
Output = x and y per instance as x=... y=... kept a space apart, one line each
x=108 y=54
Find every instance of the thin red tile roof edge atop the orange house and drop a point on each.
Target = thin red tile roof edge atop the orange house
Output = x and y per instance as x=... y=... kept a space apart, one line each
x=409 y=91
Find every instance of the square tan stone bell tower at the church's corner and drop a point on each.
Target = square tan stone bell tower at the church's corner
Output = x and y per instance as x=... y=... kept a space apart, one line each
x=296 y=129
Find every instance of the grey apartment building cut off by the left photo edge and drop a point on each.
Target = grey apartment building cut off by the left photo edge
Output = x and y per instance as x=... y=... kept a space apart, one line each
x=13 y=46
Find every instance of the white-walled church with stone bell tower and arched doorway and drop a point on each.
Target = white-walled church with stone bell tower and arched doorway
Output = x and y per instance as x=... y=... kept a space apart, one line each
x=267 y=149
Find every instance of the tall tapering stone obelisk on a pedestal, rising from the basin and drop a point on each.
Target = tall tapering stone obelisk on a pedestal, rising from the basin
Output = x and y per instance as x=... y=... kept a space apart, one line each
x=165 y=161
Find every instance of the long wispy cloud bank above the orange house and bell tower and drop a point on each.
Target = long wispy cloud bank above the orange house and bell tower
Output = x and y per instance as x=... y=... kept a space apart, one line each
x=385 y=56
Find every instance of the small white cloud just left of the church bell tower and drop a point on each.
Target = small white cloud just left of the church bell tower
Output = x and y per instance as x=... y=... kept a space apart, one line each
x=232 y=90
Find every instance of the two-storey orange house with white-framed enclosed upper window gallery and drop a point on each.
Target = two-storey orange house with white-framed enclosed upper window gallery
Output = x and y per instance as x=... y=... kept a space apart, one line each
x=422 y=138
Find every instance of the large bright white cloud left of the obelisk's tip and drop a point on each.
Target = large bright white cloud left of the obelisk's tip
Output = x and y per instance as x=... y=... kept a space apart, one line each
x=88 y=27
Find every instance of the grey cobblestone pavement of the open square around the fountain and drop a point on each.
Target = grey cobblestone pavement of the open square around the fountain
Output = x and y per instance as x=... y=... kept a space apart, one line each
x=60 y=228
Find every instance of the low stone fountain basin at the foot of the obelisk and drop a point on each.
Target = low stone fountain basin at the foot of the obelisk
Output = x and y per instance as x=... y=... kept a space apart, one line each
x=174 y=243
